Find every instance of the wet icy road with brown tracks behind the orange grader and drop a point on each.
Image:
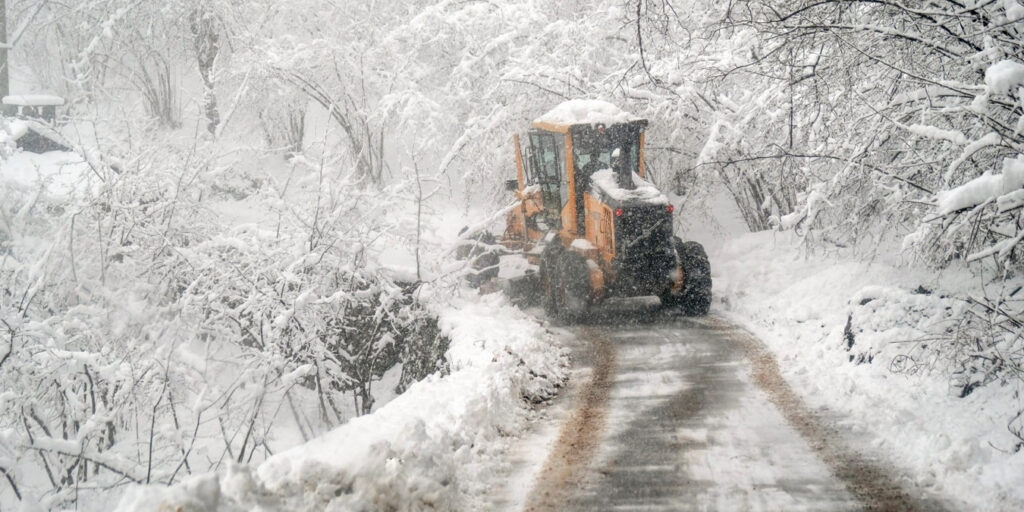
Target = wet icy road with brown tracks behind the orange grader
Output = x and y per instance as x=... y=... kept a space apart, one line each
x=692 y=414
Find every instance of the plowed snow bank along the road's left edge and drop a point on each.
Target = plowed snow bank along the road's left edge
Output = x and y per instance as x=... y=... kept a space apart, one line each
x=426 y=450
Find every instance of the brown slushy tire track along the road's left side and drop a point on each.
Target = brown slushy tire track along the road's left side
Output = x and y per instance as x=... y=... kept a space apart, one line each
x=580 y=436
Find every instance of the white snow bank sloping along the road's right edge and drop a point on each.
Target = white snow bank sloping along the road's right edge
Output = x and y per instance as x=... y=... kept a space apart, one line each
x=849 y=337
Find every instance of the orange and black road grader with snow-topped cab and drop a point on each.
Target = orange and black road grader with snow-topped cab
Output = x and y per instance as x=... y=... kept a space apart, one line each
x=591 y=222
